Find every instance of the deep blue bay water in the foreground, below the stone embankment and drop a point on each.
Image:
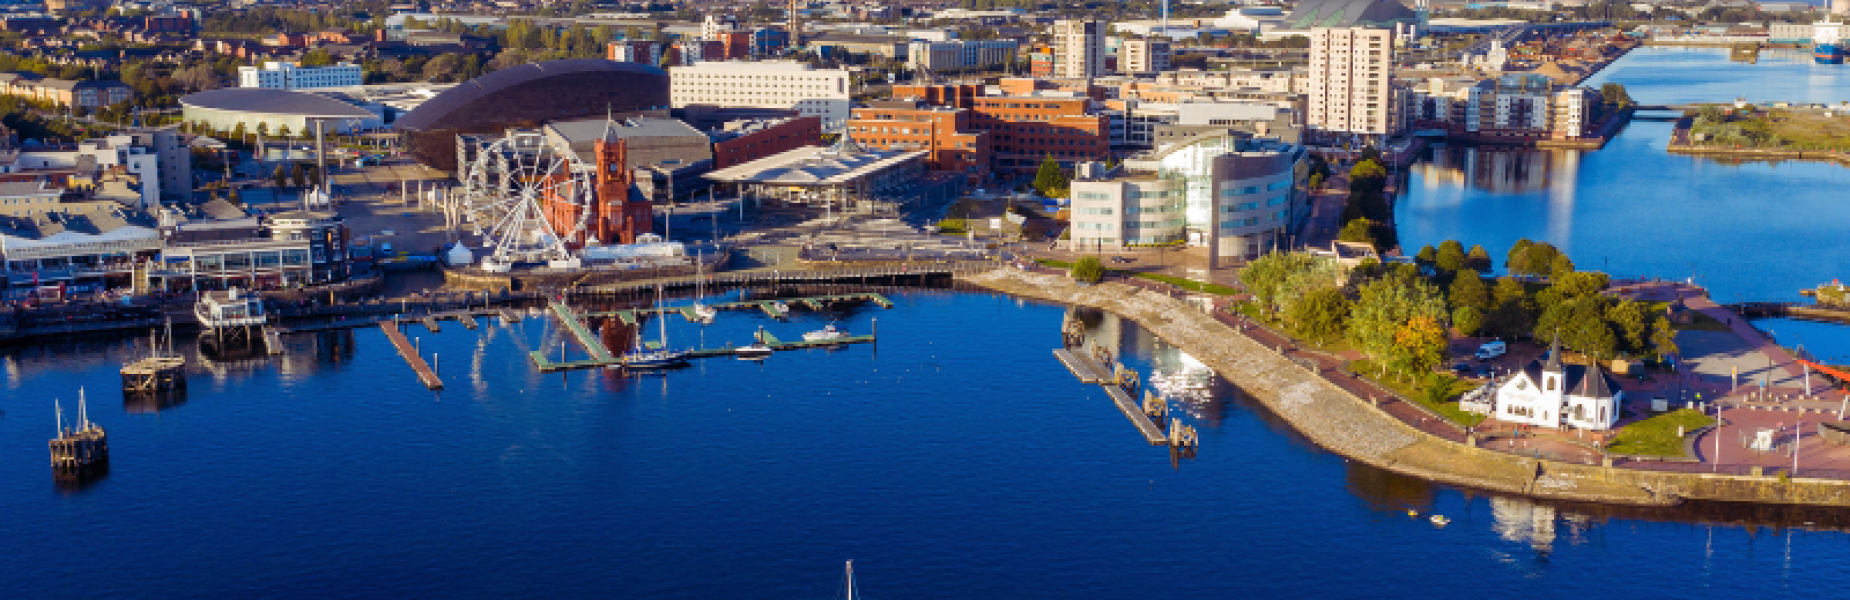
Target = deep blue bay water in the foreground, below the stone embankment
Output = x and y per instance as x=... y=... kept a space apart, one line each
x=952 y=460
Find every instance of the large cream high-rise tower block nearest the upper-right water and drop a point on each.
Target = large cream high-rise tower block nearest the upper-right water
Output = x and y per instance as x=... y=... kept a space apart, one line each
x=1351 y=82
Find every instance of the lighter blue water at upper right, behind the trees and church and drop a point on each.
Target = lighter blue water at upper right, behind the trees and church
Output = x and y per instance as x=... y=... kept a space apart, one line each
x=1749 y=232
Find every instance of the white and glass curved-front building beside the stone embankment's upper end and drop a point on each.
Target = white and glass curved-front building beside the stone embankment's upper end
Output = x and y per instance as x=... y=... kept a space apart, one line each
x=1231 y=194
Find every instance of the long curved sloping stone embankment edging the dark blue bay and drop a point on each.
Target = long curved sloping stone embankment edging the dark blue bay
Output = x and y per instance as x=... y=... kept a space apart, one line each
x=1355 y=429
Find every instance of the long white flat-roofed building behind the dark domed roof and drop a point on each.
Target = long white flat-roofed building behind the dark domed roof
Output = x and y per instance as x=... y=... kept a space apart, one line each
x=767 y=84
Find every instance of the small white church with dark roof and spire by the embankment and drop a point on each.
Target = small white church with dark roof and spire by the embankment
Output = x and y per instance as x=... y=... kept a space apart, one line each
x=1551 y=395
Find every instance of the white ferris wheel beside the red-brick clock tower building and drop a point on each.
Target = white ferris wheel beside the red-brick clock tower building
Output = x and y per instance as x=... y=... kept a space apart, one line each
x=526 y=201
